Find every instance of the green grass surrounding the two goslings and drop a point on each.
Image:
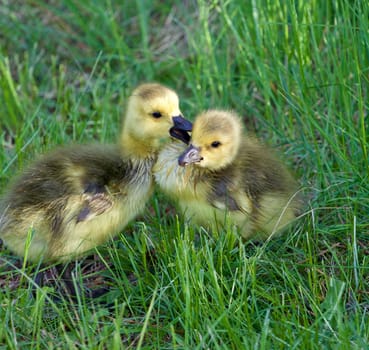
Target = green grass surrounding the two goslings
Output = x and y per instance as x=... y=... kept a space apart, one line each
x=298 y=74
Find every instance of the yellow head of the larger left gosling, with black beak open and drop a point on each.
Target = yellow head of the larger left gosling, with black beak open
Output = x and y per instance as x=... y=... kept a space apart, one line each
x=152 y=113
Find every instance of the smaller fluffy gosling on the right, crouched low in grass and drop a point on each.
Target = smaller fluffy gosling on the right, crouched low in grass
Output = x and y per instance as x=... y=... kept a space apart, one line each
x=225 y=178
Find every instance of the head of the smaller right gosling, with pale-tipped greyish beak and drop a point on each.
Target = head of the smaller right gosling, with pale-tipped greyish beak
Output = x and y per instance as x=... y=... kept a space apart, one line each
x=215 y=140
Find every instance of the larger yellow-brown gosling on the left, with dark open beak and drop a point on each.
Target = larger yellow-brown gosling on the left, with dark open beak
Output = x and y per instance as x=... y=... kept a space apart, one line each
x=78 y=197
